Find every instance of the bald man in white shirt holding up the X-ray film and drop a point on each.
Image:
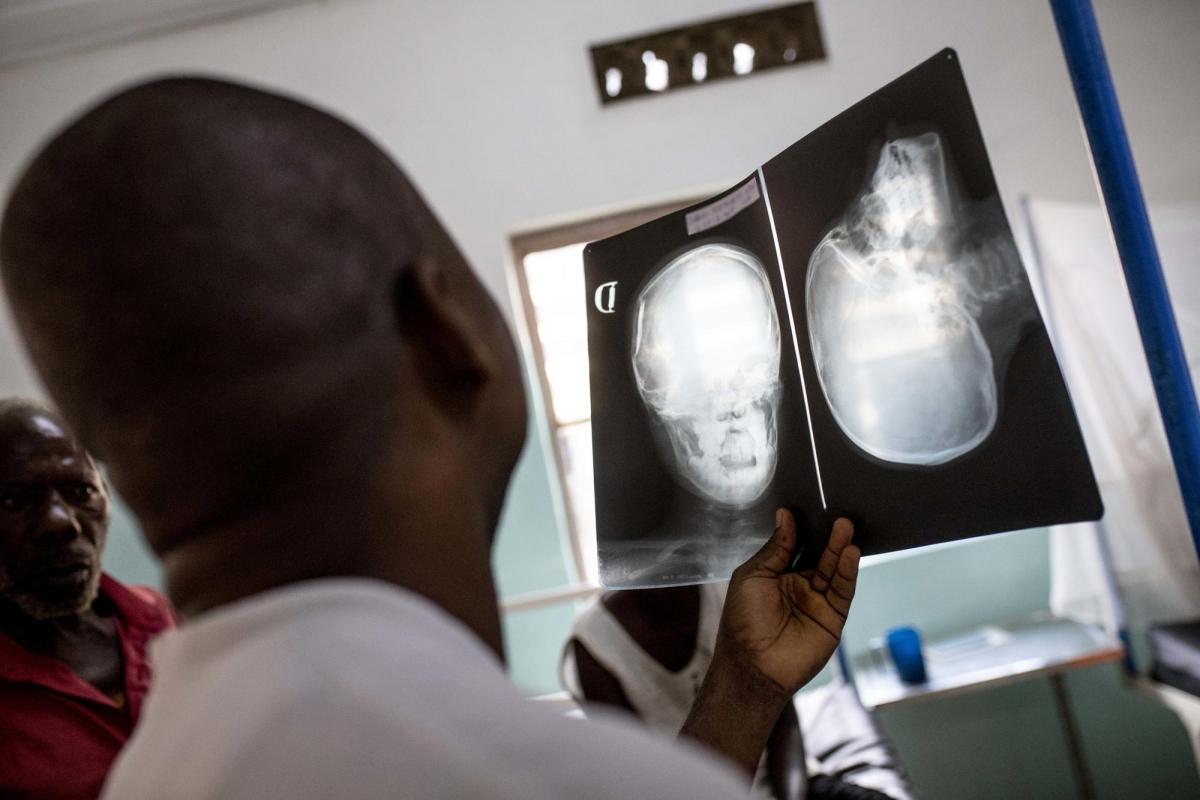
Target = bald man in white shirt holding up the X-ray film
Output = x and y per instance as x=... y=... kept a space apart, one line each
x=315 y=407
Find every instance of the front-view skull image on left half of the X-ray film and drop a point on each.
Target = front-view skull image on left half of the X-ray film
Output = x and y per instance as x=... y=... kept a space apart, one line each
x=706 y=359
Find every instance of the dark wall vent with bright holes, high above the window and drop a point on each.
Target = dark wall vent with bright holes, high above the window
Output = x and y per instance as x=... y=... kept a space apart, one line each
x=730 y=47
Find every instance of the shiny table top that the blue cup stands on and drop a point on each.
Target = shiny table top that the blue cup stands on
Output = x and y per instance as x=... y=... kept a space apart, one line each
x=991 y=655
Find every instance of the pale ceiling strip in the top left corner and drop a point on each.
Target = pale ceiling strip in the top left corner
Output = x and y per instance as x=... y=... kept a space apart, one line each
x=35 y=29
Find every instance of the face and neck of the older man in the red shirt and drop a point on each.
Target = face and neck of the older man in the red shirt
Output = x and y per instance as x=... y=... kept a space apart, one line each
x=53 y=525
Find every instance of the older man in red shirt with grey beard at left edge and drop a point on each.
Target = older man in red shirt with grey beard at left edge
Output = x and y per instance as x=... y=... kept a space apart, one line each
x=73 y=641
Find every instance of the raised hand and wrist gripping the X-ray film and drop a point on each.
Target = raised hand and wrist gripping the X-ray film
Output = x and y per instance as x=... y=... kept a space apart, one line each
x=778 y=630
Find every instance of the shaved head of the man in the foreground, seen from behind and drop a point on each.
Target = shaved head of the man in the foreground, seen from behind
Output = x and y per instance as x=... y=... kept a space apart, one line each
x=219 y=285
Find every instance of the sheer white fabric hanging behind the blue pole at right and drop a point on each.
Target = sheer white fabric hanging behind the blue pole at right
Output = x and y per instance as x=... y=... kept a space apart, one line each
x=1091 y=321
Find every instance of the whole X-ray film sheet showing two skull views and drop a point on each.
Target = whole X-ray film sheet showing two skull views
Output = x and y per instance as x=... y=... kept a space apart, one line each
x=848 y=332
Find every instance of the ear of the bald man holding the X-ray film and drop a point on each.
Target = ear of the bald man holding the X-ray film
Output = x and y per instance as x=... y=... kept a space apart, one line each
x=448 y=345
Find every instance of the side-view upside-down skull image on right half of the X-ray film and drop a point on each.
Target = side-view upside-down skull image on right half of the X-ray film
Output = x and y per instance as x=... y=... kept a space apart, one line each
x=895 y=293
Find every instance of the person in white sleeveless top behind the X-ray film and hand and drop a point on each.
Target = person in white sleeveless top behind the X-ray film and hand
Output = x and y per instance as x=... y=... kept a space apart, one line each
x=646 y=652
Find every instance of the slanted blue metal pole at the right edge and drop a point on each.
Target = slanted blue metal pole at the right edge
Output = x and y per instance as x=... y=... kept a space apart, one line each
x=1126 y=208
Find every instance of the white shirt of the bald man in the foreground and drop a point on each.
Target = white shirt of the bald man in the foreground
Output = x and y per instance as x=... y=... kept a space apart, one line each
x=357 y=689
